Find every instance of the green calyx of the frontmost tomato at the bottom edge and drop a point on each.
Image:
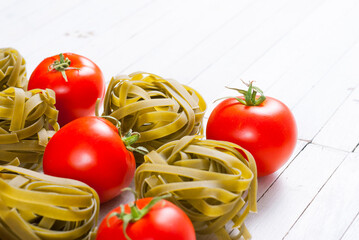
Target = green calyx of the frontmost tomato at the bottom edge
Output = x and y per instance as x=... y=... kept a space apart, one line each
x=136 y=214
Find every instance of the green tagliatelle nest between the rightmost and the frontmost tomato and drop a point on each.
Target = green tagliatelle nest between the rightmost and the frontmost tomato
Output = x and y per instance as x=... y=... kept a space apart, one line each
x=210 y=180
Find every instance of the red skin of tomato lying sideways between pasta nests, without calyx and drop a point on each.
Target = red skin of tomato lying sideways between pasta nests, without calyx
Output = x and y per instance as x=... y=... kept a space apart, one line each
x=89 y=149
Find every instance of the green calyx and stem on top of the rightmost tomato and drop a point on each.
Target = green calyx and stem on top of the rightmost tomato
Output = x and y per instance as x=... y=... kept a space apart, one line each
x=250 y=95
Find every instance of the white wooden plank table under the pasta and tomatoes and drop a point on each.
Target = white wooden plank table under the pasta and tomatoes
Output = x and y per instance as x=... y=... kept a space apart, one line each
x=303 y=52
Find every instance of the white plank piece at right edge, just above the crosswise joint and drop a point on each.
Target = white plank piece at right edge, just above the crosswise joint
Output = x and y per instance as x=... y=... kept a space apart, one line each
x=342 y=130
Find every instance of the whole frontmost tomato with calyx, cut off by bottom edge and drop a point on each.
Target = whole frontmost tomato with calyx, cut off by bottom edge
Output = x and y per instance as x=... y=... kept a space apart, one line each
x=147 y=218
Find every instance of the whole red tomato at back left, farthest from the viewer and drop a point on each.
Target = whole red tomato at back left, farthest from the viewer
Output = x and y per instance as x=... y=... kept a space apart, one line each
x=76 y=80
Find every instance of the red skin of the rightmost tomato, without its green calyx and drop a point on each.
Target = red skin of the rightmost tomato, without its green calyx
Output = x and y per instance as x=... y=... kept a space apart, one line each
x=268 y=131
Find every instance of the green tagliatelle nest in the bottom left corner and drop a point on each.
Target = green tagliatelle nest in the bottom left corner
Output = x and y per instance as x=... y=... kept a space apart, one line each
x=36 y=206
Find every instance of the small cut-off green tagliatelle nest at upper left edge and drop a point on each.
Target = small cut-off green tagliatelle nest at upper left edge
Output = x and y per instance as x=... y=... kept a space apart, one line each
x=12 y=69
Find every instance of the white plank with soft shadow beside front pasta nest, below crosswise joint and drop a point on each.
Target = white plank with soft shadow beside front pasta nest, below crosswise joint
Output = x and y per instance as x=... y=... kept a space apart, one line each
x=290 y=195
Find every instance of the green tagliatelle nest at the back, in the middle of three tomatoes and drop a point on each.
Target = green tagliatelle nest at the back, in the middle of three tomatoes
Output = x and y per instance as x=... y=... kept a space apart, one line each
x=161 y=110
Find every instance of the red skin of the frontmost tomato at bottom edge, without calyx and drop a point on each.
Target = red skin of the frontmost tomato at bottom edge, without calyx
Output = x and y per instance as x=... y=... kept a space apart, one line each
x=163 y=222
